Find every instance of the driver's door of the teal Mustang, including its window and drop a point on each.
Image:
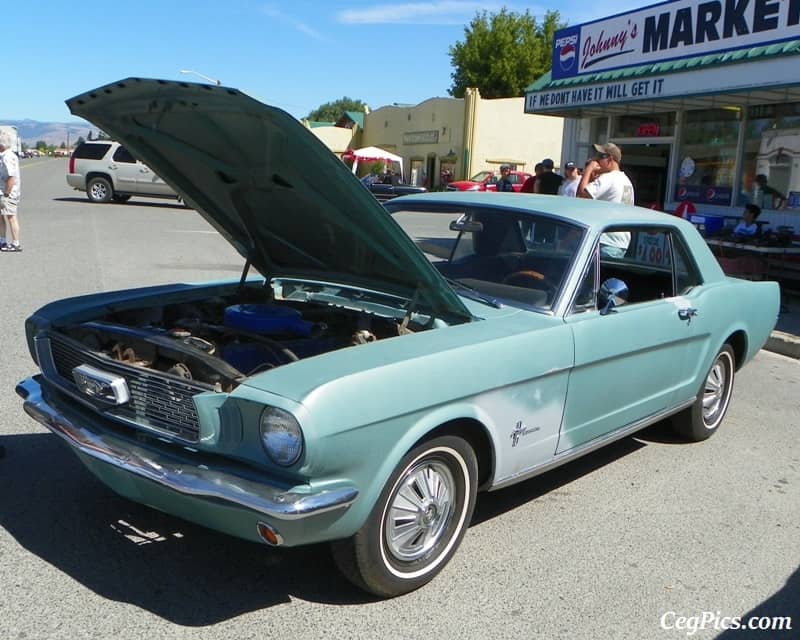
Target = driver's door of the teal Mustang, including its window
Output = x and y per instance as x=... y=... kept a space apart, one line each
x=631 y=363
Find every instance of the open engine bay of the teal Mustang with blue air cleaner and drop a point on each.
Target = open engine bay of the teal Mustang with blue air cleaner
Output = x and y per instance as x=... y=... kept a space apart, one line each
x=223 y=340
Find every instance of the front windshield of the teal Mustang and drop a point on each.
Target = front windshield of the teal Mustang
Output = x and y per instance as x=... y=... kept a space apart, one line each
x=516 y=258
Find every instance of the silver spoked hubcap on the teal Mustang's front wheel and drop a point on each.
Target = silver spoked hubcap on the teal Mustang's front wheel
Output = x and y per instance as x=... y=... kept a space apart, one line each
x=420 y=510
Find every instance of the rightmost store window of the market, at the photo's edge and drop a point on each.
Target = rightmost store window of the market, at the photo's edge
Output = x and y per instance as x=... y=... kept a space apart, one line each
x=769 y=174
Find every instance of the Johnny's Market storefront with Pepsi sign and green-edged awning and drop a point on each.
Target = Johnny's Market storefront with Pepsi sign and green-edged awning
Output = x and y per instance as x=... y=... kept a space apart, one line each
x=703 y=97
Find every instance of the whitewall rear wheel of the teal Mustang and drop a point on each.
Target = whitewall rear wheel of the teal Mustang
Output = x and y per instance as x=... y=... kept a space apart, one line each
x=700 y=421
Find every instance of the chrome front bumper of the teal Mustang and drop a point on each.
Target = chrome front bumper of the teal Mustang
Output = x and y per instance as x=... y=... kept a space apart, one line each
x=182 y=477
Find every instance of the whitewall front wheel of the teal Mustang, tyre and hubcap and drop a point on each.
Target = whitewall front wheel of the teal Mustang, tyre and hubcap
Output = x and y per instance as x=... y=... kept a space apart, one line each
x=418 y=522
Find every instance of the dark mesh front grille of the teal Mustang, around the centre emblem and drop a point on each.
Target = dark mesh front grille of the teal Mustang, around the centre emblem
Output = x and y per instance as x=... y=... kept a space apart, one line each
x=159 y=402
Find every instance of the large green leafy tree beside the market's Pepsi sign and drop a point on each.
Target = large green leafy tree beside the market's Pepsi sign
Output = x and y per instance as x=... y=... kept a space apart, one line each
x=502 y=53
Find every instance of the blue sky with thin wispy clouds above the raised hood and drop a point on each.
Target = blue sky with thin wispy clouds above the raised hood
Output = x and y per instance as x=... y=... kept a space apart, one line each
x=296 y=55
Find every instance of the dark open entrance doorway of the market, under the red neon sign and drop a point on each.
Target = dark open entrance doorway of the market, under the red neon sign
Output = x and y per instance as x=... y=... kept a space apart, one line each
x=647 y=166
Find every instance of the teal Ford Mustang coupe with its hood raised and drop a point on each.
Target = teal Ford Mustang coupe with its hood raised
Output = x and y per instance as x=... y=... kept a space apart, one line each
x=372 y=370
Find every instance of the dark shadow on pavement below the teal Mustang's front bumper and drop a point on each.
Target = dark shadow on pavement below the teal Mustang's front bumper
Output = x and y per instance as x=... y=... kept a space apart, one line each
x=192 y=576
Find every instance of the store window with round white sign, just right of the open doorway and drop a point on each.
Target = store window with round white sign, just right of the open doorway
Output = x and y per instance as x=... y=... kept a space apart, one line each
x=707 y=157
